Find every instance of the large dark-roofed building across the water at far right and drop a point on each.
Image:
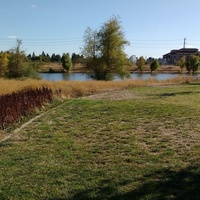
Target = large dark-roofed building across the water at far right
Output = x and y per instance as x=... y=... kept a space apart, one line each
x=175 y=55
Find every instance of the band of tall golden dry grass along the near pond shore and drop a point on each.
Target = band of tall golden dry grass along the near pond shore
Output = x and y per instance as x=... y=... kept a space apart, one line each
x=72 y=89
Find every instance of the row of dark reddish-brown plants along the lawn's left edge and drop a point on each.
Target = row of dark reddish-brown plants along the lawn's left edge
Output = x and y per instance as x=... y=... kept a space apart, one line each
x=14 y=106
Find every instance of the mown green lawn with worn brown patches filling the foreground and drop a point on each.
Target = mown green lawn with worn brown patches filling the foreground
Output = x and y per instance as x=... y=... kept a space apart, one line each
x=147 y=147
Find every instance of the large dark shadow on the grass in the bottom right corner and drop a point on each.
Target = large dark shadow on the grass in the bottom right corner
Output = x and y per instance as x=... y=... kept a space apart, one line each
x=163 y=184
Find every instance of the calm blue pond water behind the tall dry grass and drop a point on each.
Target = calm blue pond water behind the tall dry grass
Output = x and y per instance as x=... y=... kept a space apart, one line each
x=84 y=77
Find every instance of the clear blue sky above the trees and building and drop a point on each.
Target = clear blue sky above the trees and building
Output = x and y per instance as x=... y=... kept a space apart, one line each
x=153 y=27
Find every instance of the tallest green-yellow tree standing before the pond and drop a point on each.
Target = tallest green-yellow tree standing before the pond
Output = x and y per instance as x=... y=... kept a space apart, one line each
x=104 y=51
